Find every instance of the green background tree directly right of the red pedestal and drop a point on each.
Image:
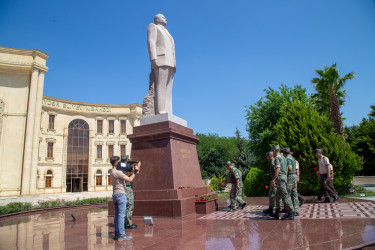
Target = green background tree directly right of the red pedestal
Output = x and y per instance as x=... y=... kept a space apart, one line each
x=213 y=152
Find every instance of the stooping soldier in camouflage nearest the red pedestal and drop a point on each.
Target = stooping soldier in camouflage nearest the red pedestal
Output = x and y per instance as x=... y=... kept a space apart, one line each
x=235 y=178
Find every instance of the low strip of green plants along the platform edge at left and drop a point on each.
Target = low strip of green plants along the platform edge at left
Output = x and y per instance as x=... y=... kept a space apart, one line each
x=16 y=207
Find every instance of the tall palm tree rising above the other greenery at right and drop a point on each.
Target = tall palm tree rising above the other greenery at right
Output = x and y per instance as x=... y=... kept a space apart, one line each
x=330 y=96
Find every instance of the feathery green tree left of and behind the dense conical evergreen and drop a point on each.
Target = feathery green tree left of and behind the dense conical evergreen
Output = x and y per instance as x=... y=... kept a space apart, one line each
x=264 y=115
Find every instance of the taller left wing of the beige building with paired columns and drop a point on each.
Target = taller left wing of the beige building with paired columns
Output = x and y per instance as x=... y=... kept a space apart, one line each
x=21 y=79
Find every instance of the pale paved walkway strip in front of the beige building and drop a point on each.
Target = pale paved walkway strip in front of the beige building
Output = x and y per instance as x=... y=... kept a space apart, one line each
x=34 y=199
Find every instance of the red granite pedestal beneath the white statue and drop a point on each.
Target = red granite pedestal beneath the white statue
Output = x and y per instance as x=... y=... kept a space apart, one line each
x=169 y=161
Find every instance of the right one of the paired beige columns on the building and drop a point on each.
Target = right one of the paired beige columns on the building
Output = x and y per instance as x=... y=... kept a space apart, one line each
x=35 y=147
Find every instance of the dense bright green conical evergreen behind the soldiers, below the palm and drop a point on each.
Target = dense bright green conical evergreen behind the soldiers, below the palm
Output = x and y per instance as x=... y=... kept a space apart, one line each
x=303 y=129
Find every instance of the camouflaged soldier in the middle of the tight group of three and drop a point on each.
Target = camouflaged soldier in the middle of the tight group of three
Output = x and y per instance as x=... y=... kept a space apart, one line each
x=280 y=181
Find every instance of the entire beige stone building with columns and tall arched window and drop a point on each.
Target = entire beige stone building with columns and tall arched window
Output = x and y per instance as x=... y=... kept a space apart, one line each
x=50 y=145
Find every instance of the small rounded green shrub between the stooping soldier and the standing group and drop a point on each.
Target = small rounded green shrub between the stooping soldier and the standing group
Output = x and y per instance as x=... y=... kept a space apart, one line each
x=255 y=183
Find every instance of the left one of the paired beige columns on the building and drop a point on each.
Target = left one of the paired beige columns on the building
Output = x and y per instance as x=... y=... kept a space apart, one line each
x=27 y=157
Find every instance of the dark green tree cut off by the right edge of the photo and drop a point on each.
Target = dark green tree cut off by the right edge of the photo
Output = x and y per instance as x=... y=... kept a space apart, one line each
x=363 y=143
